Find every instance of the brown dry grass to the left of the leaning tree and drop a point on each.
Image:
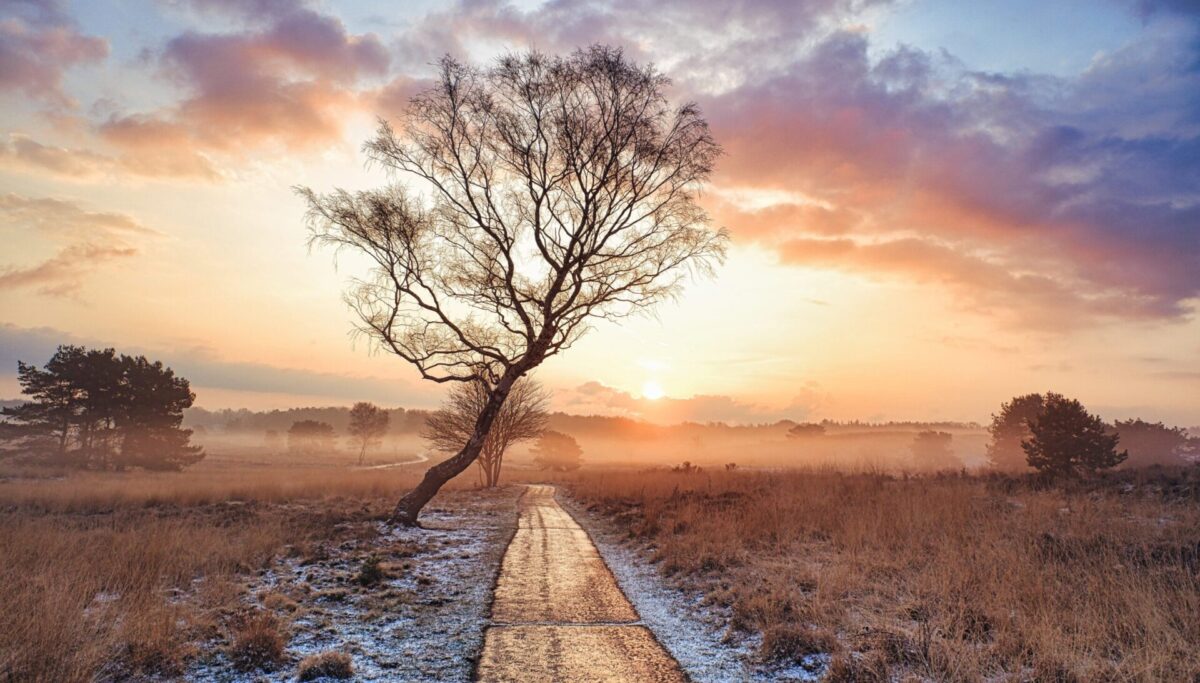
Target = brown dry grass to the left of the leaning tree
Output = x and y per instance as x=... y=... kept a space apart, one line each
x=116 y=576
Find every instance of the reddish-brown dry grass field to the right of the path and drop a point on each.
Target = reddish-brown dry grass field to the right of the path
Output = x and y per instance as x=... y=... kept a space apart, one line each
x=952 y=578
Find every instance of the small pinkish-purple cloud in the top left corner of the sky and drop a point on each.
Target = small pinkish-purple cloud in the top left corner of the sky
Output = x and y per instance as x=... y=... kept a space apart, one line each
x=39 y=44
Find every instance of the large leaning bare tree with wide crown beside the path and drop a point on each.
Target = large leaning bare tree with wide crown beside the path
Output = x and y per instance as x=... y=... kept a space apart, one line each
x=549 y=191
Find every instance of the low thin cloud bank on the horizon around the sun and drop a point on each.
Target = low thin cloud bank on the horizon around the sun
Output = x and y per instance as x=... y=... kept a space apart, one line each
x=597 y=399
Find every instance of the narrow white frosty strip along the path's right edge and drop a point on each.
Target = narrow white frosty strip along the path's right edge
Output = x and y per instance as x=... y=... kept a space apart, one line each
x=695 y=633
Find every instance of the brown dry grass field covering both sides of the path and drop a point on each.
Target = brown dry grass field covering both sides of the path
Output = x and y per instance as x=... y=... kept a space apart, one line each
x=940 y=578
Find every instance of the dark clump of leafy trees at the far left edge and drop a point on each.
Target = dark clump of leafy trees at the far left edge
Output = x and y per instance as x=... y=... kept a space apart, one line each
x=93 y=409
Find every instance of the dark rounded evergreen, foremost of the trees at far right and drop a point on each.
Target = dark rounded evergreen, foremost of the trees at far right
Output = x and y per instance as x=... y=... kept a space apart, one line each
x=1069 y=441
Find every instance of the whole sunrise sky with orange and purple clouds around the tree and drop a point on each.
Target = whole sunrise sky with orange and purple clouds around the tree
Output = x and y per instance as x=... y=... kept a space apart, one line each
x=934 y=206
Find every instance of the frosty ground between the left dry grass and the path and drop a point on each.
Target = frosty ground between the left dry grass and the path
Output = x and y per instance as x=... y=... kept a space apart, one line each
x=422 y=620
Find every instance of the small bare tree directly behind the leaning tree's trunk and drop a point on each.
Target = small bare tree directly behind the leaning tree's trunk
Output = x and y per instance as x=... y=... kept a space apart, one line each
x=521 y=418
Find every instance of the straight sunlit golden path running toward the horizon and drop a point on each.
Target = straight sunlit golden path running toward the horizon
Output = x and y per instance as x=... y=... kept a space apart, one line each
x=560 y=616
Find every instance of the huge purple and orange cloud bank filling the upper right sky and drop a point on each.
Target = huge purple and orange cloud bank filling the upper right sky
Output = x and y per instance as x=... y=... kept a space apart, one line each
x=1057 y=201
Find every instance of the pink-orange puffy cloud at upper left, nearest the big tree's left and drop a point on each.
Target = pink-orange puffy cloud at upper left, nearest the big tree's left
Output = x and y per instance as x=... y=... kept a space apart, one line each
x=287 y=85
